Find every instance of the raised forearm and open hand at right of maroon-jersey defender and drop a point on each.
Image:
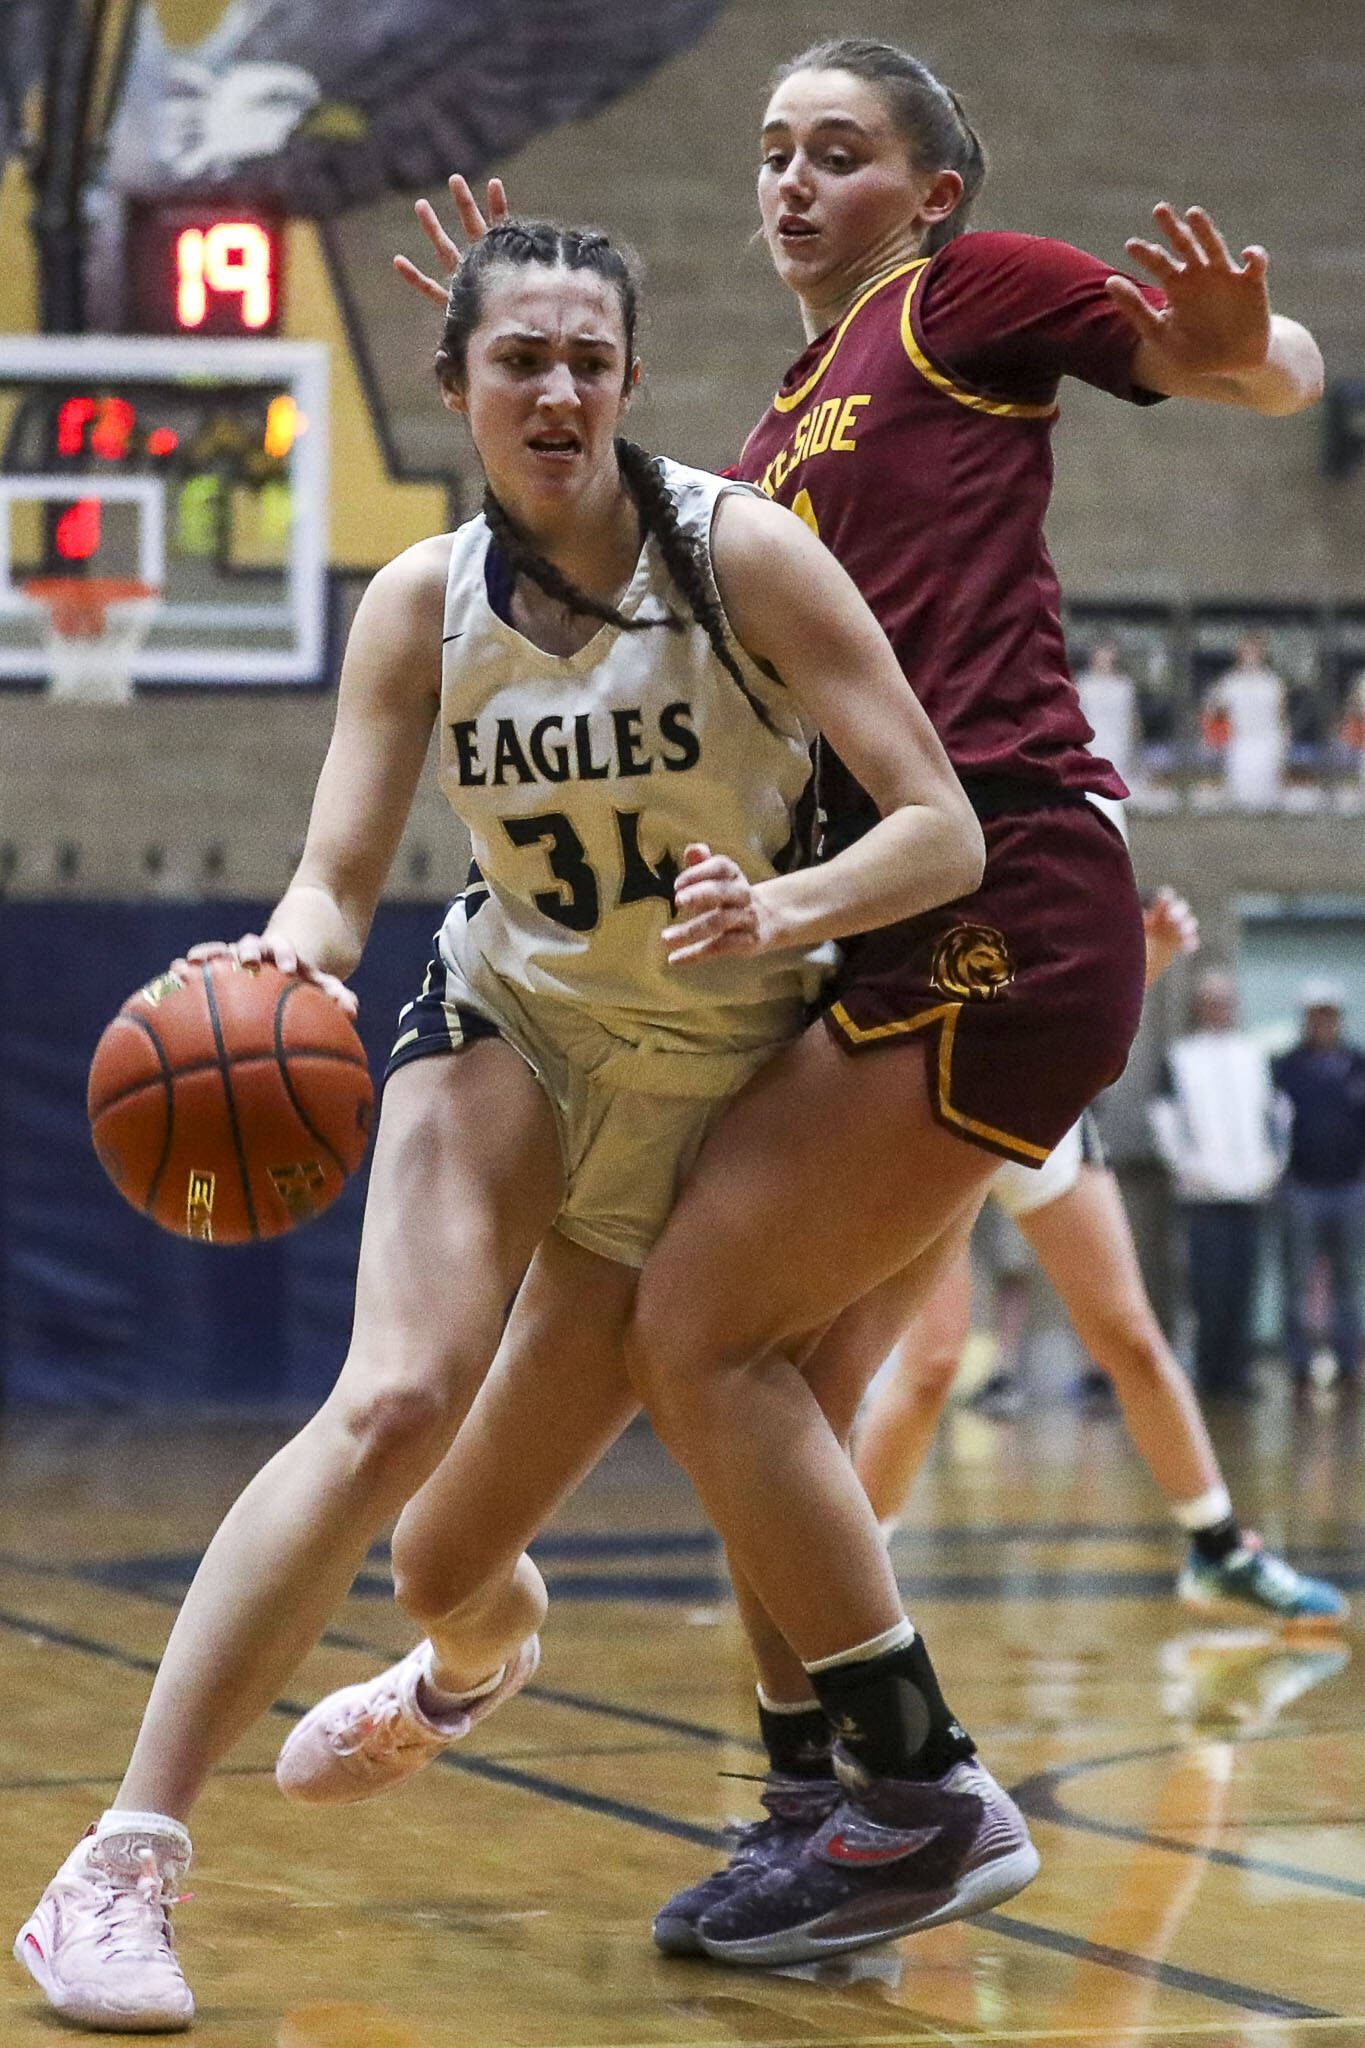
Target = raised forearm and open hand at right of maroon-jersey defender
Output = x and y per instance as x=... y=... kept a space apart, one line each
x=1217 y=337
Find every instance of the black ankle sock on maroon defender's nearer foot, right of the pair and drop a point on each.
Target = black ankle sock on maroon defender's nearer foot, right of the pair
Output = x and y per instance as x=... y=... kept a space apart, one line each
x=891 y=1715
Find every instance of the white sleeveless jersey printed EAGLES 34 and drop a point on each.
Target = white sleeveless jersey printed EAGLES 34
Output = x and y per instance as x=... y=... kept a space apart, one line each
x=584 y=777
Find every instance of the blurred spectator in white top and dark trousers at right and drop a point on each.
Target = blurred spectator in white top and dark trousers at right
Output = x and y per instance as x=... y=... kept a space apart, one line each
x=1217 y=1132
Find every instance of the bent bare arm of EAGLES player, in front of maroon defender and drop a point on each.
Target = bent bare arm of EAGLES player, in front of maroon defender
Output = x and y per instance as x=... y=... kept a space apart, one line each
x=801 y=615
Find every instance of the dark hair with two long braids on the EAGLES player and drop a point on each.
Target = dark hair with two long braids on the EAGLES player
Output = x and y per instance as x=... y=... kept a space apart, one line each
x=586 y=249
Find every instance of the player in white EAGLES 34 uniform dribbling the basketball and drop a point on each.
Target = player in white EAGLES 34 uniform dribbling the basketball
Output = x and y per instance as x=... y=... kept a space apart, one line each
x=629 y=663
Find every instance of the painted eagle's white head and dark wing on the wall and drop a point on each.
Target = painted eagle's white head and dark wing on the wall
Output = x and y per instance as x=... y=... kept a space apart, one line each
x=320 y=108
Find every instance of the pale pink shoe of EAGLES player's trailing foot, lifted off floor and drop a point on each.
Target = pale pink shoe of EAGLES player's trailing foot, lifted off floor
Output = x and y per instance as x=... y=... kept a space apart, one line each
x=367 y=1740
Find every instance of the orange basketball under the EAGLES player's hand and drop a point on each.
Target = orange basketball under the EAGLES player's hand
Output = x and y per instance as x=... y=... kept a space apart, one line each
x=230 y=1103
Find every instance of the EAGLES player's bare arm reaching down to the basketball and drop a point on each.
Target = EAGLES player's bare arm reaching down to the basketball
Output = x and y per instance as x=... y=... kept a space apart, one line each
x=388 y=703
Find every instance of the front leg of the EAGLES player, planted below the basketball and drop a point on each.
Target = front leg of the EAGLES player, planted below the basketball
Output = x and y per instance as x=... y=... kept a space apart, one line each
x=466 y=1183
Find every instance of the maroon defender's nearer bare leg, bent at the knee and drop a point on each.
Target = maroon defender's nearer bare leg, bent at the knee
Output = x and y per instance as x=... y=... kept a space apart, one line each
x=709 y=1359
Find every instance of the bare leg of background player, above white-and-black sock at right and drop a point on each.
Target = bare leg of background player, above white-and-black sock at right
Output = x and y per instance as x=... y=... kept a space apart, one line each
x=1086 y=1248
